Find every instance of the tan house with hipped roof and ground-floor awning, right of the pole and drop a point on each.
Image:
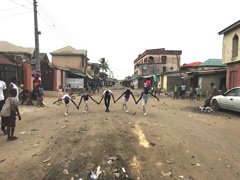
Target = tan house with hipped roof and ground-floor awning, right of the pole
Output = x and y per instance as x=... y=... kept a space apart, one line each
x=70 y=67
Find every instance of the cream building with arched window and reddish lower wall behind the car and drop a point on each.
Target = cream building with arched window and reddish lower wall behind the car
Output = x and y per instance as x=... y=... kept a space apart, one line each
x=231 y=53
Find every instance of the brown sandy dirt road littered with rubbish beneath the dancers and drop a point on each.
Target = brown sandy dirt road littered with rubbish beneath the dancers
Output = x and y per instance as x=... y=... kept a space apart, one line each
x=174 y=141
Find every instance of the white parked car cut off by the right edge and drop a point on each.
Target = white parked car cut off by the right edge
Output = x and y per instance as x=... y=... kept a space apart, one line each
x=229 y=100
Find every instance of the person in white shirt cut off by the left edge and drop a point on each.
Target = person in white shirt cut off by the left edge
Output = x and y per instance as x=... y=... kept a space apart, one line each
x=3 y=96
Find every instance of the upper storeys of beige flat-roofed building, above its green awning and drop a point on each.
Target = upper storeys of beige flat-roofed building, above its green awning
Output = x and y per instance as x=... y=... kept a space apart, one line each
x=157 y=61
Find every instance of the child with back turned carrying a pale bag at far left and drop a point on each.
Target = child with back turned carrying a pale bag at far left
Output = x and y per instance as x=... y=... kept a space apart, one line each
x=9 y=111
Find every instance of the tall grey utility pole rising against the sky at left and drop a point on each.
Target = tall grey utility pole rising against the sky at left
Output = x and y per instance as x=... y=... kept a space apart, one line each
x=36 y=35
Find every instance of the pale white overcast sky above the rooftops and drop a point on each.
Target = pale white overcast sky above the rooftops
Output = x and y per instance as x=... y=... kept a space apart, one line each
x=120 y=30
